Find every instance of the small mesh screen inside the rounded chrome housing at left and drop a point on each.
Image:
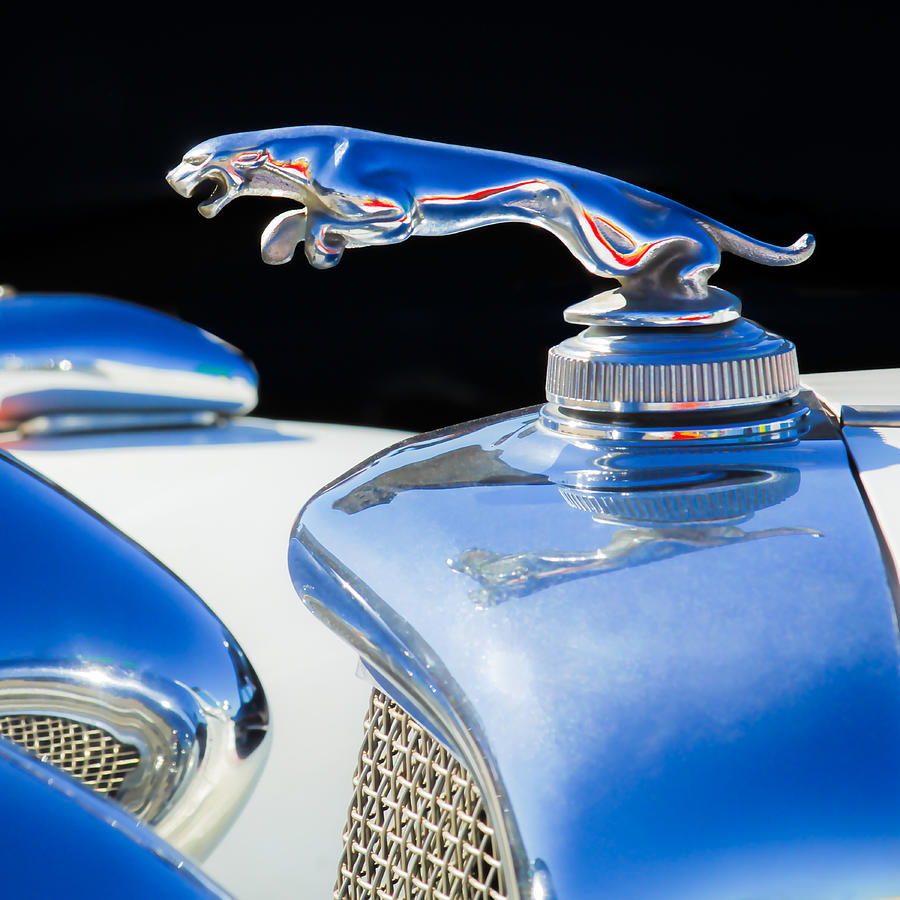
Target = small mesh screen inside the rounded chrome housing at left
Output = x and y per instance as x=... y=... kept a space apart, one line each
x=94 y=757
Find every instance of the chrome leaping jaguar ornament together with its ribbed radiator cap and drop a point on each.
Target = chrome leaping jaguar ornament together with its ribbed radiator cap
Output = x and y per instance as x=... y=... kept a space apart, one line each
x=359 y=188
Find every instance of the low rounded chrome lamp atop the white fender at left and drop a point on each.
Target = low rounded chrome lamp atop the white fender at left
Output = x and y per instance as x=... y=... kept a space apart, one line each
x=76 y=363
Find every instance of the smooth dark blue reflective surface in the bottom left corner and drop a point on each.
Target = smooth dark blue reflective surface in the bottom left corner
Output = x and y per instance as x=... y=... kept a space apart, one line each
x=61 y=840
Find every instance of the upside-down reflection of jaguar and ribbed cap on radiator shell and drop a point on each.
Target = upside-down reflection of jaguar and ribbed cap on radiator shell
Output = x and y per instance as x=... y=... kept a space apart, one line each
x=666 y=512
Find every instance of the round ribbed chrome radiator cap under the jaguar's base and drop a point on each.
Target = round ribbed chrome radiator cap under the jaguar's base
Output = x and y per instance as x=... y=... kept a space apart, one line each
x=682 y=367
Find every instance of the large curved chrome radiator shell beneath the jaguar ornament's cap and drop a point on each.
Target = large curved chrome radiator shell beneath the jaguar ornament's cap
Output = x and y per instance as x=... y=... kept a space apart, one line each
x=714 y=712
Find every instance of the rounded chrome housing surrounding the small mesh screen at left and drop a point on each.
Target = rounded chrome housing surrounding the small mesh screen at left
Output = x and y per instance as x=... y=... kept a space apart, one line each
x=99 y=633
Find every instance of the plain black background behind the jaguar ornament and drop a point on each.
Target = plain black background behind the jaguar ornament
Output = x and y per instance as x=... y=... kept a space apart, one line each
x=776 y=121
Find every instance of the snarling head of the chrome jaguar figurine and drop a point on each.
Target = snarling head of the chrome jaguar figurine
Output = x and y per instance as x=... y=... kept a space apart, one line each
x=252 y=163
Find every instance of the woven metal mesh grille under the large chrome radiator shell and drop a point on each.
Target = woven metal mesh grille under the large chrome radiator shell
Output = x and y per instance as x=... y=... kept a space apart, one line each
x=417 y=827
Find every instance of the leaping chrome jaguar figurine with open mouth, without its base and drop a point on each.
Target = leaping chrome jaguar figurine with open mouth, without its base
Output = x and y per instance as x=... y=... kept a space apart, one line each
x=360 y=188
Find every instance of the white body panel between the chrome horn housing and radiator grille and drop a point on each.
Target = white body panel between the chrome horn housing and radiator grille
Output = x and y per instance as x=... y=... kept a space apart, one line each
x=219 y=514
